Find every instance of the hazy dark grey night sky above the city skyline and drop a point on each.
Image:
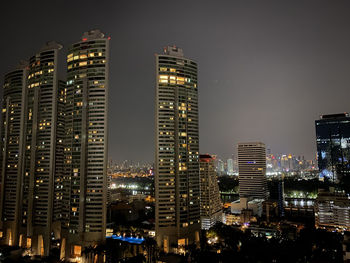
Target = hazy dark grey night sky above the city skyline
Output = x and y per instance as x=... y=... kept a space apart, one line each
x=267 y=69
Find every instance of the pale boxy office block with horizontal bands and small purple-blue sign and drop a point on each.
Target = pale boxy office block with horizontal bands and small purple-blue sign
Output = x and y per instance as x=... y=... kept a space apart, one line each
x=252 y=170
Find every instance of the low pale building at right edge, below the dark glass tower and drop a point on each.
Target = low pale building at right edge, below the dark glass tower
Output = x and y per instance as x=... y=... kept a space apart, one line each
x=332 y=210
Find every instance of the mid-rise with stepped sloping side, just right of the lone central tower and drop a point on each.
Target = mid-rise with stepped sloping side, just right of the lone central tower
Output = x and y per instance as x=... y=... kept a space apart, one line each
x=211 y=206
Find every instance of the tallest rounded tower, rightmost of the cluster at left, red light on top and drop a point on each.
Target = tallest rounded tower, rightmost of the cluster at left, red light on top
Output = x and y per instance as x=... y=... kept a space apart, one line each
x=85 y=179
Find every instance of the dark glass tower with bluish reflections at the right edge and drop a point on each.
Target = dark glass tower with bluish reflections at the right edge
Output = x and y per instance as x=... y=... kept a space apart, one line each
x=333 y=145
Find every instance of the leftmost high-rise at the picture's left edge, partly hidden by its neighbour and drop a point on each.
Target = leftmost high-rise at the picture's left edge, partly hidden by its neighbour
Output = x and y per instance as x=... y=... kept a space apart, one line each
x=14 y=95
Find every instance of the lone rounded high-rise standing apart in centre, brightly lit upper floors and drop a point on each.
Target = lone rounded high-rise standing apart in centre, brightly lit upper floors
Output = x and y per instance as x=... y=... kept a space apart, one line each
x=177 y=187
